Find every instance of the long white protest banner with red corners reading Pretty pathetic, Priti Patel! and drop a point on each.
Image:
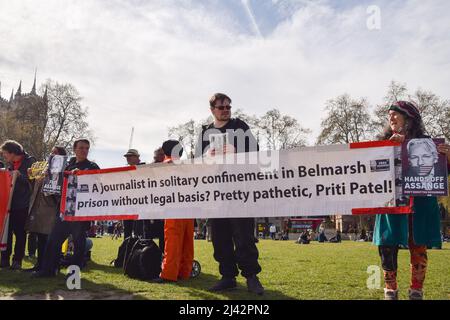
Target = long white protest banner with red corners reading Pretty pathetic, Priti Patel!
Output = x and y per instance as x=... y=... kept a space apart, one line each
x=339 y=179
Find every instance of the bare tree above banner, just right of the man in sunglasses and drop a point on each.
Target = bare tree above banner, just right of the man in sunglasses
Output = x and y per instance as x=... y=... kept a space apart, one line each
x=281 y=131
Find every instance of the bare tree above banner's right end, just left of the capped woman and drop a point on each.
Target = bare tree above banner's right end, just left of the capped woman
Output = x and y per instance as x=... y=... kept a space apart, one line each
x=348 y=120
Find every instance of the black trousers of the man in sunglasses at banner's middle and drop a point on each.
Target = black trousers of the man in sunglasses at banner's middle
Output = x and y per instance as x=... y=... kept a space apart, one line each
x=234 y=246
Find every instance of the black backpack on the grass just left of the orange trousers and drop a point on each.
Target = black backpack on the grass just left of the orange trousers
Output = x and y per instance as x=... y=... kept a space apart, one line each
x=143 y=261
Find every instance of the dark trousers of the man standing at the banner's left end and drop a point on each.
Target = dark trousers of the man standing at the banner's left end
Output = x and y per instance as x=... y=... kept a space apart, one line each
x=59 y=234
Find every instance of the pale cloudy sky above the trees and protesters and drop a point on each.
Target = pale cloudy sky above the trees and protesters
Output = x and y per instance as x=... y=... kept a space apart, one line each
x=153 y=64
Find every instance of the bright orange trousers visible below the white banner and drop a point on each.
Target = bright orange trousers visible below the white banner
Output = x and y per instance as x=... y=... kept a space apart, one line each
x=178 y=249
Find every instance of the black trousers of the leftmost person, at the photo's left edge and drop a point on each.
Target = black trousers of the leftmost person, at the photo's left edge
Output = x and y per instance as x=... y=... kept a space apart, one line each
x=17 y=219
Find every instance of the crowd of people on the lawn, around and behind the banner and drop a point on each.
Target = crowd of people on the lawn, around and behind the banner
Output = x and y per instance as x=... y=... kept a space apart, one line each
x=34 y=212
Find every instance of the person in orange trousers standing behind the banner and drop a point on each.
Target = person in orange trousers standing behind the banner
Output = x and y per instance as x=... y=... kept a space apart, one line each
x=178 y=233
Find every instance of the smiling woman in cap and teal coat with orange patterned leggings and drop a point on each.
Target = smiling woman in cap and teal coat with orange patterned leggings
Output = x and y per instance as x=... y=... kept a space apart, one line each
x=418 y=230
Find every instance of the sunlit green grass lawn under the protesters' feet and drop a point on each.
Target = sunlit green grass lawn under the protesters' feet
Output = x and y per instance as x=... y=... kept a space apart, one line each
x=290 y=271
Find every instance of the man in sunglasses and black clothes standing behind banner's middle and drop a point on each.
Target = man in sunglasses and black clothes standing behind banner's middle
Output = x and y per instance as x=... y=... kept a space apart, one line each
x=233 y=238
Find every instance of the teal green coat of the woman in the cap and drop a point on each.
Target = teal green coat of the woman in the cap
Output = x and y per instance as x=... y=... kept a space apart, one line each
x=392 y=229
